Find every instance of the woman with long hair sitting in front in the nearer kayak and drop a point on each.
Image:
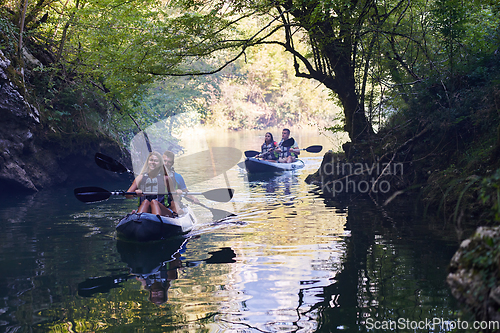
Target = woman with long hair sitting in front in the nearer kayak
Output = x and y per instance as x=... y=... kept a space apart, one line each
x=154 y=179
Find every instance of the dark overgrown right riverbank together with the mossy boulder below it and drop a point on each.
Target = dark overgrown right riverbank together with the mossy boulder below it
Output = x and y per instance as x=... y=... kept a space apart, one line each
x=444 y=151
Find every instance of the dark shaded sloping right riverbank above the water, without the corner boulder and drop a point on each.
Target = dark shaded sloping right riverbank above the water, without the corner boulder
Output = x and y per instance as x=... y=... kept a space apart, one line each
x=444 y=147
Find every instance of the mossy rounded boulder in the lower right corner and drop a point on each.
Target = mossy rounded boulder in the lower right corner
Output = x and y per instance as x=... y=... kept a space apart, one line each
x=475 y=271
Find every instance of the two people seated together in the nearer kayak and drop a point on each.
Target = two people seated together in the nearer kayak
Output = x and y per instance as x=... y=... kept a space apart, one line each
x=158 y=176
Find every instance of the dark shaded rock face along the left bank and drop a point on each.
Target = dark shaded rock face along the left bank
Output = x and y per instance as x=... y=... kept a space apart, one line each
x=28 y=160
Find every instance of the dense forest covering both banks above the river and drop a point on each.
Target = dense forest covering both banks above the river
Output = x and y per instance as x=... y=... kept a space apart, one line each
x=412 y=82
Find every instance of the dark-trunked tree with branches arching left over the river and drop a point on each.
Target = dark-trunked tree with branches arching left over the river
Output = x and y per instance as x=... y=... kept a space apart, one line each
x=341 y=37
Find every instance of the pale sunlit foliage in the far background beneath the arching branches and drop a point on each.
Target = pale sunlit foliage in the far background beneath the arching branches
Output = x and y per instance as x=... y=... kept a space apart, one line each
x=255 y=94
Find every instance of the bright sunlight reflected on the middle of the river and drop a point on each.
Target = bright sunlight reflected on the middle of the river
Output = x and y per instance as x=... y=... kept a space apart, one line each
x=288 y=246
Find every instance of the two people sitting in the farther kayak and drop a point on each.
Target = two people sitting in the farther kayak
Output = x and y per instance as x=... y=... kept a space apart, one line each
x=279 y=152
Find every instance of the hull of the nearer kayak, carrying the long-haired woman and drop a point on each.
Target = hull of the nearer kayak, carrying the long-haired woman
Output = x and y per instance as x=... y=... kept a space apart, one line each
x=144 y=227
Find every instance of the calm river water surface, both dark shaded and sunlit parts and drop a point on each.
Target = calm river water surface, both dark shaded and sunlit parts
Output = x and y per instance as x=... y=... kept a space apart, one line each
x=289 y=261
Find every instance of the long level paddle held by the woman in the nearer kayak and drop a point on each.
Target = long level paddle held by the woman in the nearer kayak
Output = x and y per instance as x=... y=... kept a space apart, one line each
x=95 y=194
